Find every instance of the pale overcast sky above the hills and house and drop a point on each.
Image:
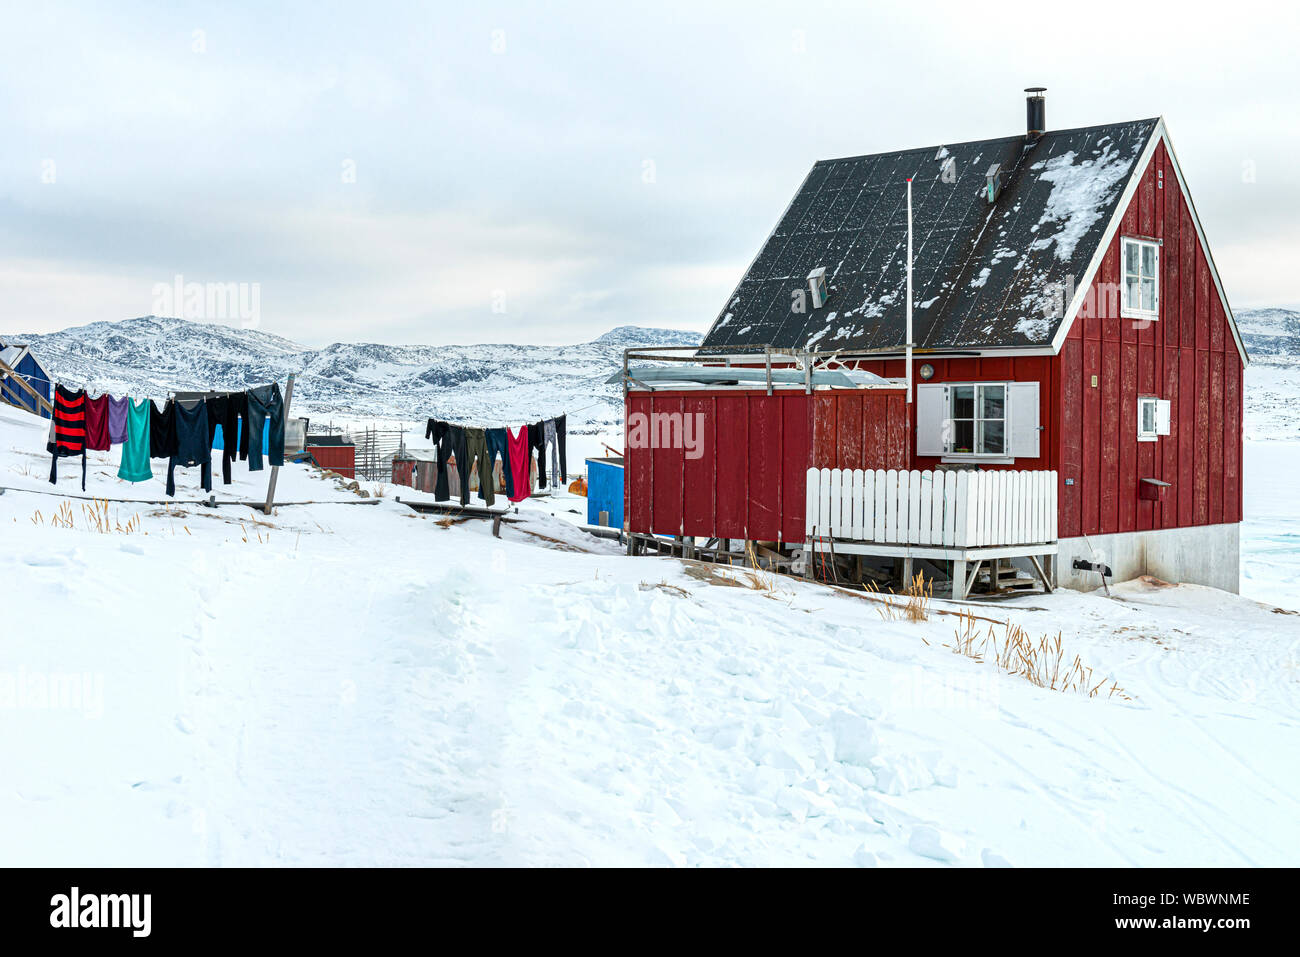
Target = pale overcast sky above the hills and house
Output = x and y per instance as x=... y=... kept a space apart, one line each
x=544 y=172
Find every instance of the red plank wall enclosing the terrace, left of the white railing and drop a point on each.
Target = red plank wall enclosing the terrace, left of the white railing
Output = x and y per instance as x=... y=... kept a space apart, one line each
x=751 y=482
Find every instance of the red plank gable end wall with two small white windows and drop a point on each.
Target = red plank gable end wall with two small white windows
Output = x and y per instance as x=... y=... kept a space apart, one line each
x=1188 y=357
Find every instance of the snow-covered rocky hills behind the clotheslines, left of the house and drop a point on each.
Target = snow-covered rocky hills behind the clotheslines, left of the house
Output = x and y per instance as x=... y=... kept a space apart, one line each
x=489 y=383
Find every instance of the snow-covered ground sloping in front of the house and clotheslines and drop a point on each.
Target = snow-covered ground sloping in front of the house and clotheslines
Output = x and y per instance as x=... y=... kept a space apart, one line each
x=359 y=685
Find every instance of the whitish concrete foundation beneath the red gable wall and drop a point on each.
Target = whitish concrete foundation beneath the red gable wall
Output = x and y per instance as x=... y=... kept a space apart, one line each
x=1199 y=556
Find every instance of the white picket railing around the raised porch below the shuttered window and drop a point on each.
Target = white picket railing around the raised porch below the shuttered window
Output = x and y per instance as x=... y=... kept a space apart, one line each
x=960 y=509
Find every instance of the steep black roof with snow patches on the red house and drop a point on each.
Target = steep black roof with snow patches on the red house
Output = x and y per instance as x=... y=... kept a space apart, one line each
x=983 y=275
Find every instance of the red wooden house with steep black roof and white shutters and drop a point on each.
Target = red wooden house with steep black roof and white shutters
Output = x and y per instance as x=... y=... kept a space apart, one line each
x=1068 y=318
